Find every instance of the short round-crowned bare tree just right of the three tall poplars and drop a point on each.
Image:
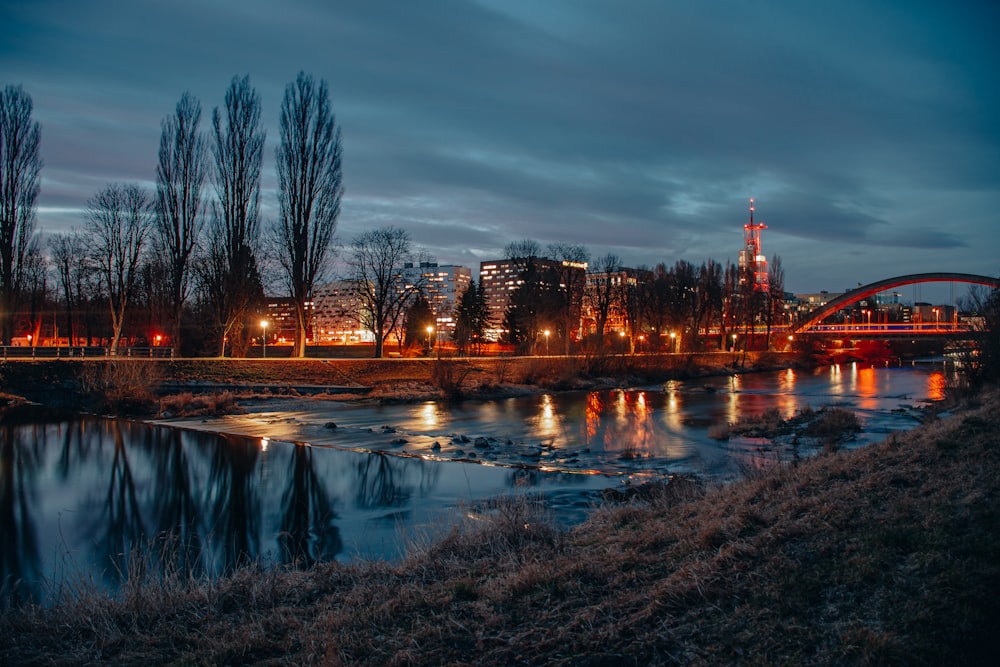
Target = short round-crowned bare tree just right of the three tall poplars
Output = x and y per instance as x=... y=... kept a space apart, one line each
x=383 y=293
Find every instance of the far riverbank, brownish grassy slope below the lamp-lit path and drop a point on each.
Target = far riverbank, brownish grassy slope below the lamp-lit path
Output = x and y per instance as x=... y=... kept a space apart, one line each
x=134 y=386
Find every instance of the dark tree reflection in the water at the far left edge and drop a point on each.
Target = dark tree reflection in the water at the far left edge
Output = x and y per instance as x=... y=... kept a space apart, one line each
x=18 y=537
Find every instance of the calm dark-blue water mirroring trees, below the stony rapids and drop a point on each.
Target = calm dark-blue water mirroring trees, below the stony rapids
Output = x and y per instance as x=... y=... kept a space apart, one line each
x=91 y=499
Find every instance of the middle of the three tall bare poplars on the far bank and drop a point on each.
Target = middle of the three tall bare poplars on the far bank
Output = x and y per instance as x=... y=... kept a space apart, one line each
x=231 y=274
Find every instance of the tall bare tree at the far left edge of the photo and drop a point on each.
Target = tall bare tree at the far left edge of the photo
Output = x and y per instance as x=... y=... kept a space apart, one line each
x=20 y=168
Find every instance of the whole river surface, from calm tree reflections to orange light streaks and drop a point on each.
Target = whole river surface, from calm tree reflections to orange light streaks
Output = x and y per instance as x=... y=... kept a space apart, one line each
x=81 y=498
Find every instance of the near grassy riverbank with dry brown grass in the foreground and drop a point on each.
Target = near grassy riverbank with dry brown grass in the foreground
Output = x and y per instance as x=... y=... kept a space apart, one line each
x=888 y=554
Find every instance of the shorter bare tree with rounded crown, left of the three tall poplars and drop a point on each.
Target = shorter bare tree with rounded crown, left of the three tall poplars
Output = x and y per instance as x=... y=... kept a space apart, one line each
x=118 y=222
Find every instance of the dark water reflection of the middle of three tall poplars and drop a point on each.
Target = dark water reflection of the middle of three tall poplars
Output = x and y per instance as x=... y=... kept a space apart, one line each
x=235 y=504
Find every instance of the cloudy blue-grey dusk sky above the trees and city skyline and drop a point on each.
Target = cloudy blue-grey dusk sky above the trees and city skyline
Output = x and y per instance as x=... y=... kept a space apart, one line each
x=867 y=132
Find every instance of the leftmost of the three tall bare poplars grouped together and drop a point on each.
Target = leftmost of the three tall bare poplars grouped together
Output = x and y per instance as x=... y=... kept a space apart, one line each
x=180 y=176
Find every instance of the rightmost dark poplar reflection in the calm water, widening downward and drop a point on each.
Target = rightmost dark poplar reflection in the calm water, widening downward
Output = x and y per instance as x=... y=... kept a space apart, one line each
x=308 y=533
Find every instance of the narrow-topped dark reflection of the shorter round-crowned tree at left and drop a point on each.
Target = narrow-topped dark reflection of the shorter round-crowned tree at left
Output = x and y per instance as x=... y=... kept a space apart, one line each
x=119 y=527
